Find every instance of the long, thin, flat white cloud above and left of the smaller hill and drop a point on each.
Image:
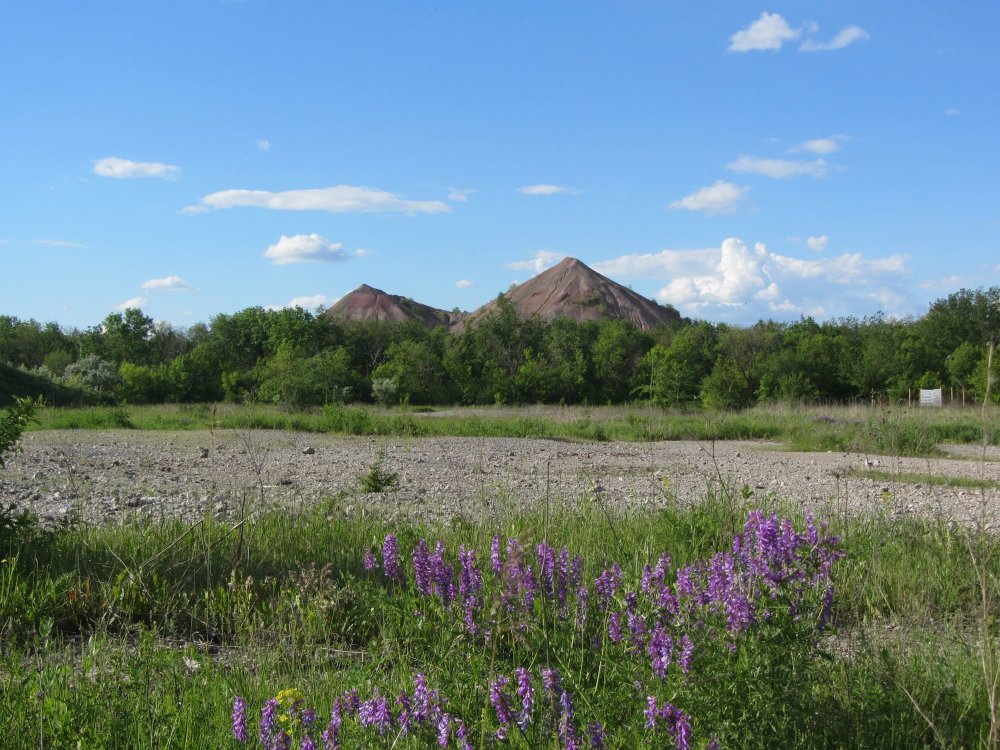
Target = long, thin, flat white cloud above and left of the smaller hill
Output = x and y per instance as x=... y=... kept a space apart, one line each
x=337 y=199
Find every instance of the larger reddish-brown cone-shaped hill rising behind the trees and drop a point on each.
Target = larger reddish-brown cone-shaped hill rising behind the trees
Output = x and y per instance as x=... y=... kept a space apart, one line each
x=572 y=289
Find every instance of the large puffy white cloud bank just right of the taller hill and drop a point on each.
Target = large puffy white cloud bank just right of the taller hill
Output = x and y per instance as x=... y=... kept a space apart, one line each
x=741 y=283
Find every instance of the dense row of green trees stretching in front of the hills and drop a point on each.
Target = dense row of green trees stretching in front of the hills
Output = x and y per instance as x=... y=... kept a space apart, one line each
x=299 y=358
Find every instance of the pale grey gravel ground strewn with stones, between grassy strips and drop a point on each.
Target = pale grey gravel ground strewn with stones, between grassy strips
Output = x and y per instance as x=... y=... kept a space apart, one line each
x=110 y=476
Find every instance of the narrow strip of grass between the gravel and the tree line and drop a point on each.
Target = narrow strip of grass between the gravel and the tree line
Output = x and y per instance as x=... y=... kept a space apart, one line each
x=885 y=431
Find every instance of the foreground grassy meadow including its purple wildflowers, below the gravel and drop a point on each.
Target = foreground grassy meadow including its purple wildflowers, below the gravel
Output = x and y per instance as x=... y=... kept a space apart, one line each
x=143 y=636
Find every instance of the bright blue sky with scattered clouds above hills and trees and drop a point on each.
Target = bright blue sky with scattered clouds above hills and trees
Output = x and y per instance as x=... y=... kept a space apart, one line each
x=738 y=161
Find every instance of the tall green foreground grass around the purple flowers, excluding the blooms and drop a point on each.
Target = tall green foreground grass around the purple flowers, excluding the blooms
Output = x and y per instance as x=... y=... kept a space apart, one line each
x=141 y=635
